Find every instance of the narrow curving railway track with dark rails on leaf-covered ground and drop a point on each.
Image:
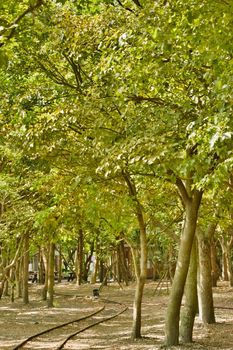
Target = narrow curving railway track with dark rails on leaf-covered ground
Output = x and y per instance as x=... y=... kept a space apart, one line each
x=57 y=337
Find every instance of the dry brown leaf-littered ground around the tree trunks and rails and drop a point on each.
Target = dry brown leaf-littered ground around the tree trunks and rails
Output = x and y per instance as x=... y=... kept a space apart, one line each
x=18 y=321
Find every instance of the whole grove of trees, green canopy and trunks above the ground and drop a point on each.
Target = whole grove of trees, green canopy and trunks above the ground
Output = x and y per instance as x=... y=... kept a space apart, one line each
x=116 y=150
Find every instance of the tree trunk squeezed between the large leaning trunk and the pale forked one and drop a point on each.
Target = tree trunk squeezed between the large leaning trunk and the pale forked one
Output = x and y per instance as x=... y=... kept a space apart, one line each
x=191 y=305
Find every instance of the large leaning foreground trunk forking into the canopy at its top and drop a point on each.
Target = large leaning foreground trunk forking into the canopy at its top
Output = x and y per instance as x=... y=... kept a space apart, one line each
x=192 y=203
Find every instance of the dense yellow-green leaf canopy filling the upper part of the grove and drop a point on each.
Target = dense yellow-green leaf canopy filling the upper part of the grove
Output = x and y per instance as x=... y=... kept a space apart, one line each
x=93 y=89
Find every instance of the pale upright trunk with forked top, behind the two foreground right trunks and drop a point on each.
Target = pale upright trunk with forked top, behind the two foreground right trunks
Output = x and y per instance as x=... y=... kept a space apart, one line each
x=205 y=295
